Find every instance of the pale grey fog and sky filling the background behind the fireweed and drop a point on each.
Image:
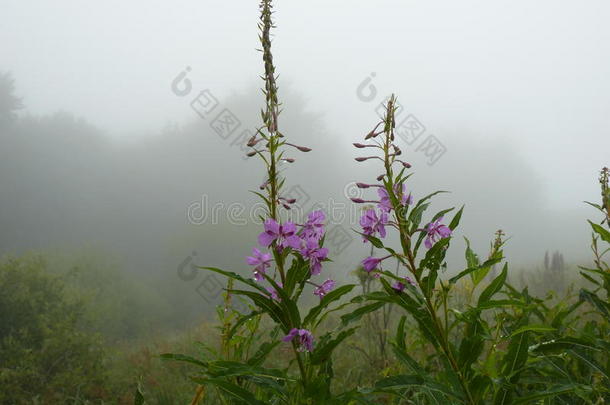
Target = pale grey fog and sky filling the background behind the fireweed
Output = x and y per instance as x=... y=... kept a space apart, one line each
x=109 y=153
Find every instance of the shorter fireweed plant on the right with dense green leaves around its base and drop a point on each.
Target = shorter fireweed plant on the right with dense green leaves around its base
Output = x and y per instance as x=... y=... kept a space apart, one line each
x=493 y=350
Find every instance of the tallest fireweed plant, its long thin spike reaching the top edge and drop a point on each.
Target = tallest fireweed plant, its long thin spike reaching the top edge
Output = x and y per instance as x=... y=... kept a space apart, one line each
x=288 y=258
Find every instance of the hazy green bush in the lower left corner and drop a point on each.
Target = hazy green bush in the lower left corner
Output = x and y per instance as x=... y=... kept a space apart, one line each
x=45 y=354
